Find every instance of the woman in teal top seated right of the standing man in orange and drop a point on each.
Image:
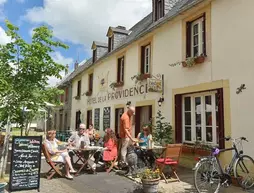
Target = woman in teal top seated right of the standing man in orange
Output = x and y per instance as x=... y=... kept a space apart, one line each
x=145 y=155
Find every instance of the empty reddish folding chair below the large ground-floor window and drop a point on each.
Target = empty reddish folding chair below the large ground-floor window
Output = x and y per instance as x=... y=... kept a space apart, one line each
x=170 y=158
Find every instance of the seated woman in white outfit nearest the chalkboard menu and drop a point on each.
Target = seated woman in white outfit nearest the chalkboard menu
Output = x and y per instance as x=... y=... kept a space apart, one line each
x=59 y=155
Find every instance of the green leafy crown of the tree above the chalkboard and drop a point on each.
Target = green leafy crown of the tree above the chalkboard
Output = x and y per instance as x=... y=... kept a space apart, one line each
x=25 y=68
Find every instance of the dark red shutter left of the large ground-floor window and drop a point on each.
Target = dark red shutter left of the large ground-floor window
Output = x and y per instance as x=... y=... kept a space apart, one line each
x=178 y=118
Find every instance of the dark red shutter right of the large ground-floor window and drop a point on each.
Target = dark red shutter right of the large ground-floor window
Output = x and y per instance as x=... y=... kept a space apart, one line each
x=221 y=129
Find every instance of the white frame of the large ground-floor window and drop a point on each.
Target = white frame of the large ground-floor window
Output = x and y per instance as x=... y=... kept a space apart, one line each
x=203 y=119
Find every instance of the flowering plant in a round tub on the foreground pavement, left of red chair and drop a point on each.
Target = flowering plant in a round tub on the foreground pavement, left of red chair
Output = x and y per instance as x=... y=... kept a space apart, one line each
x=150 y=180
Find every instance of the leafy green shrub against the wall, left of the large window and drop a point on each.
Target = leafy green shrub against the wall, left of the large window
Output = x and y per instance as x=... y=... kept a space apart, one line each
x=162 y=131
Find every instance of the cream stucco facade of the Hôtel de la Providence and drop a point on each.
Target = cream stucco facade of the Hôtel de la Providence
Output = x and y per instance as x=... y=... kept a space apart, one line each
x=229 y=42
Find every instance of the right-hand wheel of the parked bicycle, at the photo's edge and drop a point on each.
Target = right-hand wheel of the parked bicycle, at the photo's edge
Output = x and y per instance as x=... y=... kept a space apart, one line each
x=244 y=171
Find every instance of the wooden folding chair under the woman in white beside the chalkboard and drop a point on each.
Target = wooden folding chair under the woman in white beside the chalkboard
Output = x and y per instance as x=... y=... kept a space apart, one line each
x=55 y=166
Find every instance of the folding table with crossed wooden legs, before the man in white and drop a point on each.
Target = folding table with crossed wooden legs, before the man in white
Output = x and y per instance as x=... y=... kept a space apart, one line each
x=91 y=149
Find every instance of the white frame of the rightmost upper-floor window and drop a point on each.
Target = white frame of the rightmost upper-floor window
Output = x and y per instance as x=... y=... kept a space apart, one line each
x=198 y=22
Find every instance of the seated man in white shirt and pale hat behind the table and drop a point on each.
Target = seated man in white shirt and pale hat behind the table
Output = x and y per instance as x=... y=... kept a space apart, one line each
x=75 y=141
